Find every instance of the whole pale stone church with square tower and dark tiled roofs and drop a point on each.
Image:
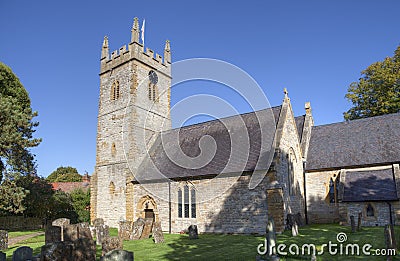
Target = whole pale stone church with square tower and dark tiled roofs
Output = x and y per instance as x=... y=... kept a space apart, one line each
x=325 y=173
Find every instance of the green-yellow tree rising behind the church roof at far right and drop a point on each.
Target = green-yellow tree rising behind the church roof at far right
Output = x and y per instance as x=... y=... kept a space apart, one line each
x=378 y=91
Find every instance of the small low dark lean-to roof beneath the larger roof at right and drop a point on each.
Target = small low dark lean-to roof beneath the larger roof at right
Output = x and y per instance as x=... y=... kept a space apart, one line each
x=372 y=185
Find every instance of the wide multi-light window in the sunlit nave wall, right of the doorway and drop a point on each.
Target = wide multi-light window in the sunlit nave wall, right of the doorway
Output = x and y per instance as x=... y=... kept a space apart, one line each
x=187 y=202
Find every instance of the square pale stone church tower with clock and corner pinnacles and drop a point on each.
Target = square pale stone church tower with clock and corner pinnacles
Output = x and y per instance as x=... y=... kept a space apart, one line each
x=134 y=106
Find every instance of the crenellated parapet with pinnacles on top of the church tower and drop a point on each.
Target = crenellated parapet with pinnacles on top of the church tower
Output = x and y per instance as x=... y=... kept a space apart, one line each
x=134 y=51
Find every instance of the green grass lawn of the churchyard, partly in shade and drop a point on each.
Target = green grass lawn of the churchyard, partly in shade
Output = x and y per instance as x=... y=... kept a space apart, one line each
x=240 y=247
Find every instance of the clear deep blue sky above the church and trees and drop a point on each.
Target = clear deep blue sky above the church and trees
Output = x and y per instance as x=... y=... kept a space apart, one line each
x=313 y=48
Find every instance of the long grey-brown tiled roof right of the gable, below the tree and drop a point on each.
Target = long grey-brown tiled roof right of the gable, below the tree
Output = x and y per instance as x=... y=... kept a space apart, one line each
x=367 y=141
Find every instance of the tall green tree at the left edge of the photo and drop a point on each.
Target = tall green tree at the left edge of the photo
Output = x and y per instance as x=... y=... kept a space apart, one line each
x=16 y=125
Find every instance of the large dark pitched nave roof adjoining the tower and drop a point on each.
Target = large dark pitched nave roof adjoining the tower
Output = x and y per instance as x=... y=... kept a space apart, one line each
x=159 y=164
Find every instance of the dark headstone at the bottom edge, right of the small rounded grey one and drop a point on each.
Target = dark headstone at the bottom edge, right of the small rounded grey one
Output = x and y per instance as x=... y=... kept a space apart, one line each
x=58 y=251
